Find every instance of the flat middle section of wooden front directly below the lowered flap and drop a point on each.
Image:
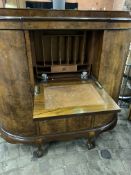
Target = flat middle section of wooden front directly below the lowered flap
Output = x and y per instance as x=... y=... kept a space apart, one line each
x=65 y=125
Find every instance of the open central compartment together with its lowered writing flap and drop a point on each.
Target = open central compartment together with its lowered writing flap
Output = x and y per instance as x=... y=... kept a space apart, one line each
x=65 y=55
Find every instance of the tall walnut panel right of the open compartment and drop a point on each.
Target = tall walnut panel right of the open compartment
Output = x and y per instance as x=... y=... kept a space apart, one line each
x=114 y=53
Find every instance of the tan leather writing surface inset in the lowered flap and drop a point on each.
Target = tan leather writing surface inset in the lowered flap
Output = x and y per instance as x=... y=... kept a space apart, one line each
x=71 y=95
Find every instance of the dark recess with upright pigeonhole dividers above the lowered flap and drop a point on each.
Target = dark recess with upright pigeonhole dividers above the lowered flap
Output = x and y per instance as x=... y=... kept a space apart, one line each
x=67 y=51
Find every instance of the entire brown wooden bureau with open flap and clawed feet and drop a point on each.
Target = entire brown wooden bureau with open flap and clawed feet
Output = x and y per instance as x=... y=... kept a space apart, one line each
x=60 y=73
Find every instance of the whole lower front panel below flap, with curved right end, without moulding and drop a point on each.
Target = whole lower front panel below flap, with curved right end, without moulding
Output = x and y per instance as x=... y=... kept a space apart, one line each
x=73 y=124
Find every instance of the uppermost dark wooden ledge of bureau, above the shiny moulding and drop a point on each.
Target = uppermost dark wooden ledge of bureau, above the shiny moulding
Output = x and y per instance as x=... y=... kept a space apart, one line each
x=70 y=14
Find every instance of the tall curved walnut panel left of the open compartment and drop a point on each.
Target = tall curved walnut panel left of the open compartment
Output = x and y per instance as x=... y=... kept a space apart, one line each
x=15 y=95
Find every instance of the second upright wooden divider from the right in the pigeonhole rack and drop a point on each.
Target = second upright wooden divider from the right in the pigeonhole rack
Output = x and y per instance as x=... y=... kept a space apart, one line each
x=75 y=49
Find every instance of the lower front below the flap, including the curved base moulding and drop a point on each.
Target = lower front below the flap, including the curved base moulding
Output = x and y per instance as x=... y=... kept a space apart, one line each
x=65 y=129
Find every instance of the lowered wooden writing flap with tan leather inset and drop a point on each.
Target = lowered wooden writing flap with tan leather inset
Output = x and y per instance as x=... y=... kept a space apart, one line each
x=63 y=99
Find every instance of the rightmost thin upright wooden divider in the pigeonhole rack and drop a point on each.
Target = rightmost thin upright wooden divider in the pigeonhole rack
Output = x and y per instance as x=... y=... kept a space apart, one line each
x=82 y=48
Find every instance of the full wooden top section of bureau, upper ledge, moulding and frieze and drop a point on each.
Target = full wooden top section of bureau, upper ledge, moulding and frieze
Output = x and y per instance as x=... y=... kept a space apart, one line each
x=30 y=19
